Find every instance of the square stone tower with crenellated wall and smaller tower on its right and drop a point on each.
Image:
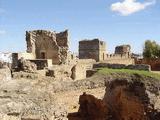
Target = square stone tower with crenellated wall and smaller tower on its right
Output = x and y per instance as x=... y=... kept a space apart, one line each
x=96 y=49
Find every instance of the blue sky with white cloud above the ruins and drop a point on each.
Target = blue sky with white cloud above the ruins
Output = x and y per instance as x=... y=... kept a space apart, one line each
x=116 y=22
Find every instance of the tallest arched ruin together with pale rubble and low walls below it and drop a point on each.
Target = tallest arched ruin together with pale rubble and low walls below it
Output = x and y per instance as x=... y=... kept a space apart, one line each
x=48 y=54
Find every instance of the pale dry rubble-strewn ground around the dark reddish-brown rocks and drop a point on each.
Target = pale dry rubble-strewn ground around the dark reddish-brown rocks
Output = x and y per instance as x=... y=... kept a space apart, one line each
x=45 y=98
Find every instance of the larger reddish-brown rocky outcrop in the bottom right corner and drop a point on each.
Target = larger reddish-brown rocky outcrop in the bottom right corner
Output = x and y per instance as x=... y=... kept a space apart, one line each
x=132 y=100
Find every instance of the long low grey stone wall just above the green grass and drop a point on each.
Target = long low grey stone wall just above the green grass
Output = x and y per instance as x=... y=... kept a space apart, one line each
x=123 y=66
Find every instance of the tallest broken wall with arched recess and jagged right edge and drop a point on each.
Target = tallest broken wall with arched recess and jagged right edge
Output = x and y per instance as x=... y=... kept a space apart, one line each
x=48 y=45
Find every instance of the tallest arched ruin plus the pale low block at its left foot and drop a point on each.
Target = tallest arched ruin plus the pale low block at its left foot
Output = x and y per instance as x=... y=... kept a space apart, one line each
x=44 y=48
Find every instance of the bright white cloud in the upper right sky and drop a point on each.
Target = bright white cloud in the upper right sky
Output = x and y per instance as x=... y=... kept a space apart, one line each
x=128 y=7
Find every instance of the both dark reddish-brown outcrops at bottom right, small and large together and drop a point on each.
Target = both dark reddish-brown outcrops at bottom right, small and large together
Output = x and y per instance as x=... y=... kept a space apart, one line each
x=125 y=99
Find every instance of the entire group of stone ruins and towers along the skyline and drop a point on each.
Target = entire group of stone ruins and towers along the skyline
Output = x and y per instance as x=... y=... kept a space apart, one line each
x=48 y=55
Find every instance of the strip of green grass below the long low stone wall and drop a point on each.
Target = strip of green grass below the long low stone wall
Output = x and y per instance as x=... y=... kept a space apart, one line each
x=140 y=72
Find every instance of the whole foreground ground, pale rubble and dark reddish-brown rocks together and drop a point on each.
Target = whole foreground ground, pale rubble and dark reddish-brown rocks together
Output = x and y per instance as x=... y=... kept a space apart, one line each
x=117 y=96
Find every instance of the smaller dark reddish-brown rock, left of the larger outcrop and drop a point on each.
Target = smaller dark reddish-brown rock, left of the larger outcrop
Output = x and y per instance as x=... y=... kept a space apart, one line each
x=92 y=108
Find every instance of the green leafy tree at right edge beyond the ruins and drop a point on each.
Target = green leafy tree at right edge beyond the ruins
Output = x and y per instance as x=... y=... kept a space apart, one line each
x=151 y=49
